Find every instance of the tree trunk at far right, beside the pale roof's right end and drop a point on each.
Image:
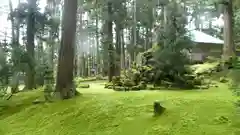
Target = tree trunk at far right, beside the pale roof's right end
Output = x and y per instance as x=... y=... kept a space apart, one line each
x=228 y=48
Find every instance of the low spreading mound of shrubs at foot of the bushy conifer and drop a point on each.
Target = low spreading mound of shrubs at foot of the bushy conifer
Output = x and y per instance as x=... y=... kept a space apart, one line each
x=138 y=77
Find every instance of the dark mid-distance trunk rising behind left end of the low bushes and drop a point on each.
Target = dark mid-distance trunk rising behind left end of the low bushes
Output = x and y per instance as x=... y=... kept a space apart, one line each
x=110 y=43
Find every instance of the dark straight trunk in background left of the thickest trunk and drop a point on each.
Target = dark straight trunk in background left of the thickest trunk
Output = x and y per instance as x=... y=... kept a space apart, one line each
x=30 y=45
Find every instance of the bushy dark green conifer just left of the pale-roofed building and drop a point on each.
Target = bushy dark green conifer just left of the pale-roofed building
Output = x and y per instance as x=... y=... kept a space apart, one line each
x=171 y=57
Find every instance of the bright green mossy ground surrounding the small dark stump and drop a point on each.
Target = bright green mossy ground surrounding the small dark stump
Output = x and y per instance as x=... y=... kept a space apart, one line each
x=103 y=112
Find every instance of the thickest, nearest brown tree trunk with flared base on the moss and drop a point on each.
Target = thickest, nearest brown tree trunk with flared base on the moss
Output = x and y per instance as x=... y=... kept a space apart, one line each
x=65 y=85
